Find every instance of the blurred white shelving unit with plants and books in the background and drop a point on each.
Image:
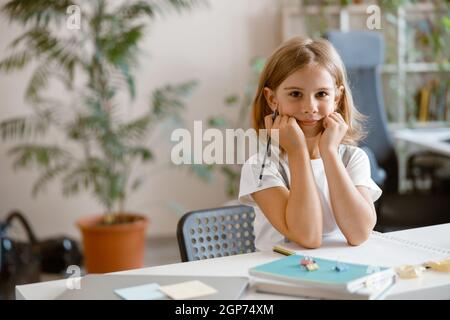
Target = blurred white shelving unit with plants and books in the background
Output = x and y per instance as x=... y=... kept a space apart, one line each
x=411 y=60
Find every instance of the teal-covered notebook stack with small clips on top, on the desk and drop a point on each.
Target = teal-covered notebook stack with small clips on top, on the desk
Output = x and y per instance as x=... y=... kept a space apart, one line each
x=353 y=278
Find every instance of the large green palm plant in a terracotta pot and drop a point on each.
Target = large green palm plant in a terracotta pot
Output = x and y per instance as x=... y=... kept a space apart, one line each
x=95 y=62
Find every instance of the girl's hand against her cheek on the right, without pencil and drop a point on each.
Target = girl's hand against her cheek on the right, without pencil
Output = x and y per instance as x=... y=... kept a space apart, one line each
x=335 y=129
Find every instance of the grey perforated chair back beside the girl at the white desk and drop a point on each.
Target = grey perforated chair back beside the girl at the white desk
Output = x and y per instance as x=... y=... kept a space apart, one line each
x=216 y=232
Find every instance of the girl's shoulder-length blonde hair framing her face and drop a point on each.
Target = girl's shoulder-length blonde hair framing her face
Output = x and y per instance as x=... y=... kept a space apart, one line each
x=295 y=54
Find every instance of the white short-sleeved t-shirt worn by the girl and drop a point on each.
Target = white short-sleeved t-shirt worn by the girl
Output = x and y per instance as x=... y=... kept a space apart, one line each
x=266 y=236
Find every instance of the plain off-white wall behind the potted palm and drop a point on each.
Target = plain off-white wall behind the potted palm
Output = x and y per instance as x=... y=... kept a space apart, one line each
x=211 y=44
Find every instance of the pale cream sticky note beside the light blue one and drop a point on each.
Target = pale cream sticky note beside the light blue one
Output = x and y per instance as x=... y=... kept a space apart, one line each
x=187 y=290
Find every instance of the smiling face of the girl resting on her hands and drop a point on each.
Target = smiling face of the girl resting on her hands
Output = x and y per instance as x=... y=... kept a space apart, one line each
x=309 y=95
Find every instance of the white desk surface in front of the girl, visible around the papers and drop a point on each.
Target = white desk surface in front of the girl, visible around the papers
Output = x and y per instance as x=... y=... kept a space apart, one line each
x=239 y=264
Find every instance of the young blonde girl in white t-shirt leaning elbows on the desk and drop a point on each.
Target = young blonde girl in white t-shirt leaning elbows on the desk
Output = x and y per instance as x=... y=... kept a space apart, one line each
x=304 y=85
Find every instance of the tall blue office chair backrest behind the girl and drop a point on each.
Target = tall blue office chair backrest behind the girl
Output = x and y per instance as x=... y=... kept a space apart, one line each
x=362 y=54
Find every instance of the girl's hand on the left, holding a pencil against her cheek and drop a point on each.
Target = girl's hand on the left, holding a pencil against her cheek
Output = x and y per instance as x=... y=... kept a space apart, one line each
x=290 y=136
